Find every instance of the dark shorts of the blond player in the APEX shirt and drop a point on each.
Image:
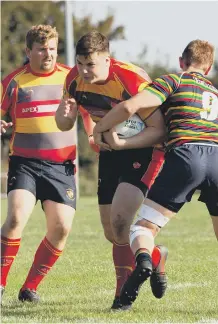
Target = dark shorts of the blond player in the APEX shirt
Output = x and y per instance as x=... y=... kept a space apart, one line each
x=44 y=179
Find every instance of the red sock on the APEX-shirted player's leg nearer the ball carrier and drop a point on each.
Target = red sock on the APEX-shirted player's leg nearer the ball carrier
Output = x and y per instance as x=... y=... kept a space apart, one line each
x=45 y=257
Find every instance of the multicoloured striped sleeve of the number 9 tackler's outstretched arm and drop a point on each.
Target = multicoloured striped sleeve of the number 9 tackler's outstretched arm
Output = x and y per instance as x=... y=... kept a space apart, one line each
x=163 y=87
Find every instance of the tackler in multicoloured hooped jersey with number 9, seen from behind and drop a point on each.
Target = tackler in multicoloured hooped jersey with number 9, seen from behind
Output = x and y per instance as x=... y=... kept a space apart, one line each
x=189 y=103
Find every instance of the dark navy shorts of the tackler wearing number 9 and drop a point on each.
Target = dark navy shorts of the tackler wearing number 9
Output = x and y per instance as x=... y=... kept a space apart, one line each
x=187 y=168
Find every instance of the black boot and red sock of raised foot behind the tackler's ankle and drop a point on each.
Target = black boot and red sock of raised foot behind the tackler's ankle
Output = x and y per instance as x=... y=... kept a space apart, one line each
x=158 y=279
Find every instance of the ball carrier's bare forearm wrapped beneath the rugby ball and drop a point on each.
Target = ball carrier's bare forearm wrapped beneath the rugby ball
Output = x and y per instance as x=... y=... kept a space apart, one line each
x=150 y=136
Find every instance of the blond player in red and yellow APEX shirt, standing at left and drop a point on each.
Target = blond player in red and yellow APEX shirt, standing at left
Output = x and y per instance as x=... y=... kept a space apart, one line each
x=41 y=157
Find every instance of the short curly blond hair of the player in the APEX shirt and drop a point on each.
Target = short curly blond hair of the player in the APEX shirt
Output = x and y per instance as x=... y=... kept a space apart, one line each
x=40 y=34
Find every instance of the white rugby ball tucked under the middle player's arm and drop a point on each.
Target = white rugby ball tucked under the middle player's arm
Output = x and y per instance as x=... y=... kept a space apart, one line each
x=130 y=127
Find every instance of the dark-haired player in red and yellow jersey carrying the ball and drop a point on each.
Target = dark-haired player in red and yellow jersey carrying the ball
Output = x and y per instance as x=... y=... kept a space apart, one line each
x=96 y=84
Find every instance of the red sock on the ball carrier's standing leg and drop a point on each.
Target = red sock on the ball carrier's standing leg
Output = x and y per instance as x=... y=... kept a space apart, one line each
x=124 y=263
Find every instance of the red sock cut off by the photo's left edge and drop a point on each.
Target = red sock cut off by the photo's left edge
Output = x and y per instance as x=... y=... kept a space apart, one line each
x=9 y=249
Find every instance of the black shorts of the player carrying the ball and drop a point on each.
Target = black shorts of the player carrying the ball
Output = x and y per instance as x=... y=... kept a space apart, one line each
x=121 y=166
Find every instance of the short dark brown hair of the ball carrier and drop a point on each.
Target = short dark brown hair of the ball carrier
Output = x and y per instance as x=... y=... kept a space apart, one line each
x=92 y=42
